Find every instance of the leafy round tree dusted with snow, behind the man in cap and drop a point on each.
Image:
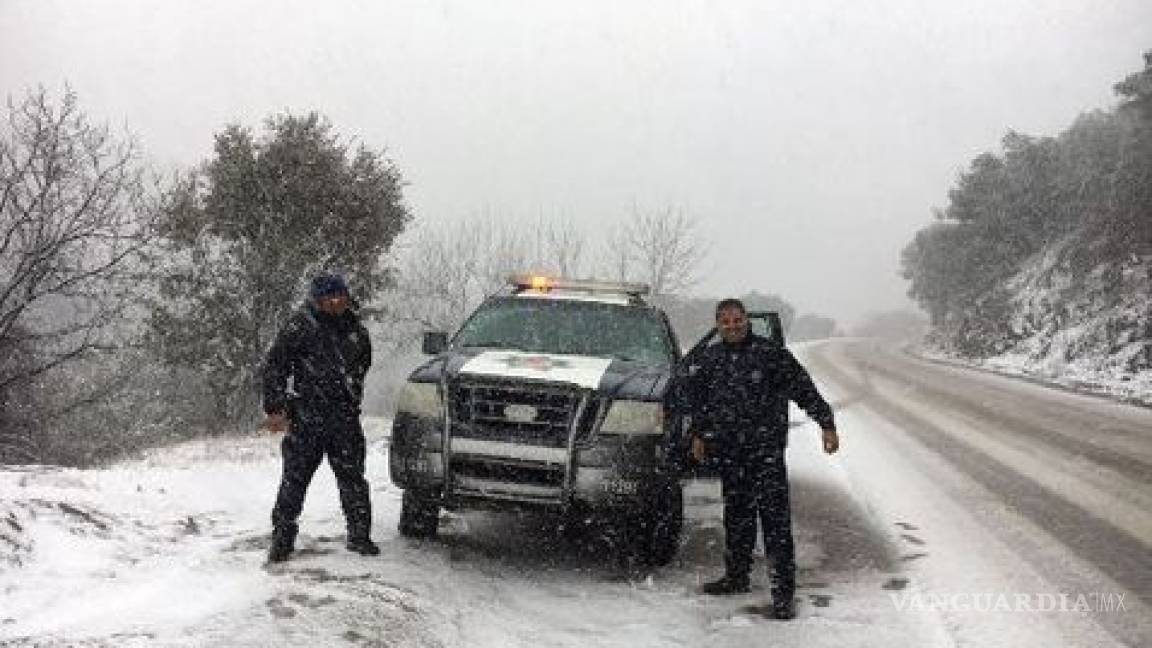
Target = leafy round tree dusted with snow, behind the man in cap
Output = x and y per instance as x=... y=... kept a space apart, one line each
x=245 y=233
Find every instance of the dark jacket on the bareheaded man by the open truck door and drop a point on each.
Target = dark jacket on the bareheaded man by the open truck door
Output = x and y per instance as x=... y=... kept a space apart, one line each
x=740 y=396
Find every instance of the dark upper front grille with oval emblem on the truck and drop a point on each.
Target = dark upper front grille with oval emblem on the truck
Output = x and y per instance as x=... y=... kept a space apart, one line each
x=528 y=415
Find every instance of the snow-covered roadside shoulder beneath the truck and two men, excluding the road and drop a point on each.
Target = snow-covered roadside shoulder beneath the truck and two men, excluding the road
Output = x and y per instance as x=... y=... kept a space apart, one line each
x=170 y=551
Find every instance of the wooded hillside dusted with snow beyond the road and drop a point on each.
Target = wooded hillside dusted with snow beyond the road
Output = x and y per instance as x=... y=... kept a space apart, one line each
x=1042 y=261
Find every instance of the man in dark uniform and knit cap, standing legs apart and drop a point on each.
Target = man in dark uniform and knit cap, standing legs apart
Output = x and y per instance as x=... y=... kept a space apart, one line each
x=314 y=383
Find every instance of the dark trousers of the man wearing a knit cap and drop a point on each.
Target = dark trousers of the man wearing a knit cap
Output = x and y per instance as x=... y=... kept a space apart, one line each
x=304 y=449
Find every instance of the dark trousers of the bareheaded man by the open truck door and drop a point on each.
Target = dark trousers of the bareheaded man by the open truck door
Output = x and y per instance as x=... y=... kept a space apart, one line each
x=756 y=488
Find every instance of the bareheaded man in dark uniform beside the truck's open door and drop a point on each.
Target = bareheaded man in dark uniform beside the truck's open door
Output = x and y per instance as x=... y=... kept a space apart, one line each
x=740 y=398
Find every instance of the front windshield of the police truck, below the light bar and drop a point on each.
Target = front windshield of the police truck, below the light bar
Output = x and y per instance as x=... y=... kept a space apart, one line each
x=574 y=328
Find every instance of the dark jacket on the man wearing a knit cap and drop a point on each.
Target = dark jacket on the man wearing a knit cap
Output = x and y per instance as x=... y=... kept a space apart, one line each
x=327 y=359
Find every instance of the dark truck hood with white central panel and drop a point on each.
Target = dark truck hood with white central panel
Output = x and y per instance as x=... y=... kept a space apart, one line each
x=615 y=379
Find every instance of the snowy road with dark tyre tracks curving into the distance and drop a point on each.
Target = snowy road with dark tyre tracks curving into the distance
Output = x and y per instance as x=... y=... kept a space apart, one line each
x=1017 y=488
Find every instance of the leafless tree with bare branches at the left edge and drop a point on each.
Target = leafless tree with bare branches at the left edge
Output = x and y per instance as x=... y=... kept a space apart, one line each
x=74 y=220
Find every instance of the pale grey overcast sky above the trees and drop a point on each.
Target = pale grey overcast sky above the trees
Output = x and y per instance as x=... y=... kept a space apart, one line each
x=810 y=140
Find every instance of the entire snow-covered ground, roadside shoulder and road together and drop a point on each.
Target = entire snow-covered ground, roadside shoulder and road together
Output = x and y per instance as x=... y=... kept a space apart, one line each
x=952 y=486
